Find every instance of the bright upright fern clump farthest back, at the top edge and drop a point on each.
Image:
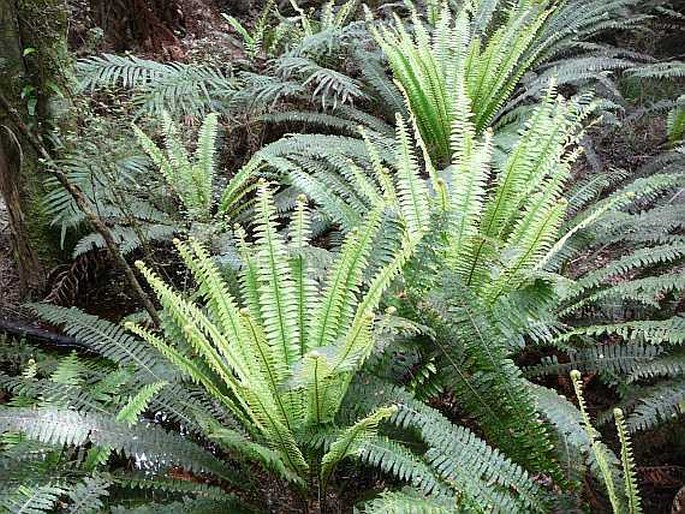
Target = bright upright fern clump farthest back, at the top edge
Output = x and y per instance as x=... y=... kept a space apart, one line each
x=489 y=55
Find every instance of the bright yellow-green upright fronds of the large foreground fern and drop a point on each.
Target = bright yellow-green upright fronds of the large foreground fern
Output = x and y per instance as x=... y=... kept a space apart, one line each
x=294 y=344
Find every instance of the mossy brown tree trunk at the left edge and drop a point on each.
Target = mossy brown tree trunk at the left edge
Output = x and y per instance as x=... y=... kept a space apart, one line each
x=34 y=71
